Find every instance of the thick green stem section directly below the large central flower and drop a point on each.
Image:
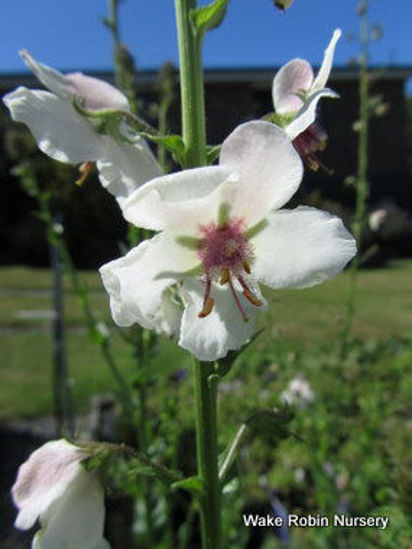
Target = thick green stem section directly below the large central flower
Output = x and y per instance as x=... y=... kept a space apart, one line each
x=207 y=451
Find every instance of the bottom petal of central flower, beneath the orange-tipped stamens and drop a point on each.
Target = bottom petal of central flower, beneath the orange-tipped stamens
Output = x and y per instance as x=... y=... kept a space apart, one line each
x=222 y=330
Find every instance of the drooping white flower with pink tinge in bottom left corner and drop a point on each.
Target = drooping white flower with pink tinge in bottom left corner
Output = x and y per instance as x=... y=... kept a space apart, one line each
x=54 y=487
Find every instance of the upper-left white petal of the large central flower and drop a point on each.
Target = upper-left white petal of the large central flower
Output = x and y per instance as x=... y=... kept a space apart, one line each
x=178 y=202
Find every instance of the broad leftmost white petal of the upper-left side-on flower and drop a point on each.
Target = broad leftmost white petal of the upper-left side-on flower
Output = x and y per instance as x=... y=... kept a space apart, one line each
x=59 y=131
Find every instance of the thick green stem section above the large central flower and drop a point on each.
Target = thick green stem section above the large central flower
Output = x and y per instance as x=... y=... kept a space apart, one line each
x=191 y=86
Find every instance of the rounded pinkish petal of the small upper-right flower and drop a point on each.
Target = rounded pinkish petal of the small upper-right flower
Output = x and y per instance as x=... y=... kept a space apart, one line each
x=293 y=78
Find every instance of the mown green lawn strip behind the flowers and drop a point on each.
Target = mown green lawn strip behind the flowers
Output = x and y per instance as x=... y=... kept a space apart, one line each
x=295 y=318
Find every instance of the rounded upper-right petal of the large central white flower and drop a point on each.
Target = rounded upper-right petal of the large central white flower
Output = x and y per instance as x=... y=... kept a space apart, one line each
x=268 y=166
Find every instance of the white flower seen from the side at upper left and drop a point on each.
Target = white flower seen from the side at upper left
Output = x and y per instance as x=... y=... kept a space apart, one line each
x=65 y=135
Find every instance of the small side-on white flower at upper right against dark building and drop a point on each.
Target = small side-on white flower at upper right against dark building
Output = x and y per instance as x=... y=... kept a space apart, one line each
x=296 y=91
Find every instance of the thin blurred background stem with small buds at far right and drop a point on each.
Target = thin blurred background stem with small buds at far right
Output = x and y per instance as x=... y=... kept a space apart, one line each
x=362 y=186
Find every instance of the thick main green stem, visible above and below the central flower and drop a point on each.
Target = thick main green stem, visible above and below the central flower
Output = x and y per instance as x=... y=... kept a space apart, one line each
x=205 y=381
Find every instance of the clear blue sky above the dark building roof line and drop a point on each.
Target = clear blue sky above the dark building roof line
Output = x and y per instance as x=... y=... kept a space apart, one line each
x=68 y=34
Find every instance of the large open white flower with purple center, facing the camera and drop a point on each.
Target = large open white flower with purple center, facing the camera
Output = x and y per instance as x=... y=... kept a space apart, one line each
x=220 y=235
